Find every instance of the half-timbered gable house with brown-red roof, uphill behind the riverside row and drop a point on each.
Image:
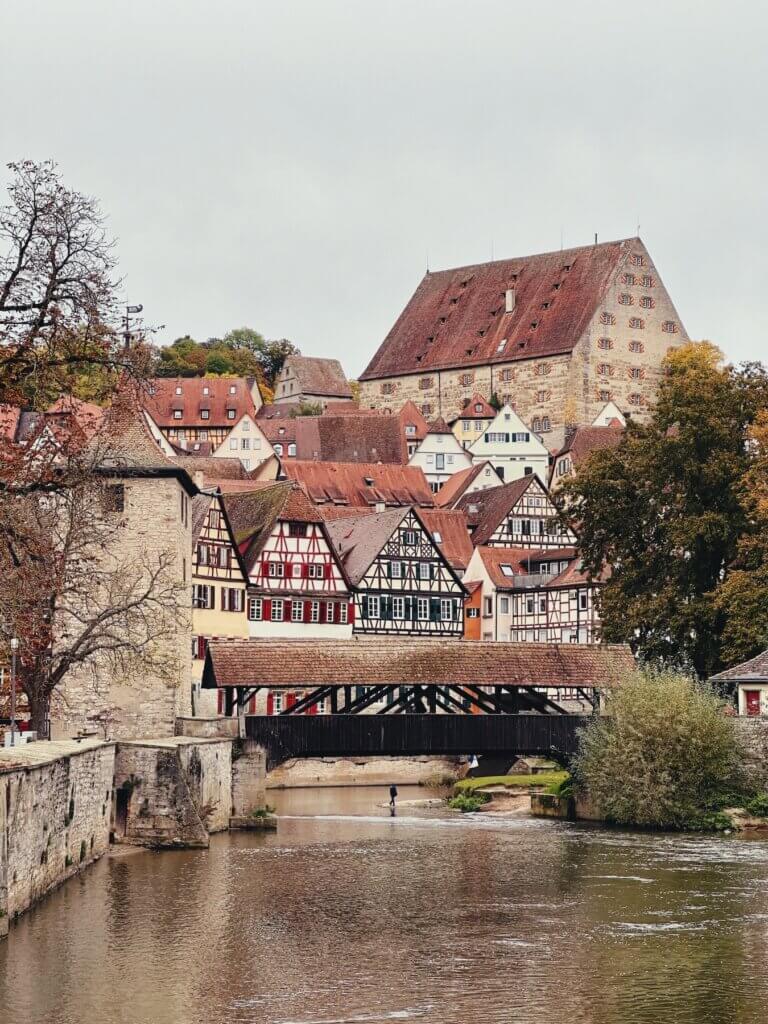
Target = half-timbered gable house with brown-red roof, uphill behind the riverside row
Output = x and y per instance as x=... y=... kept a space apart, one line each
x=520 y=515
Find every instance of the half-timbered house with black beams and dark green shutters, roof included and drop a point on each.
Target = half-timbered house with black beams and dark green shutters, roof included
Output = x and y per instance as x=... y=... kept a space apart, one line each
x=403 y=582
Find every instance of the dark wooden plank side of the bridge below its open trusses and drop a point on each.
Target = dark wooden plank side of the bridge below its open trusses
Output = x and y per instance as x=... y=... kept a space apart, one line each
x=349 y=736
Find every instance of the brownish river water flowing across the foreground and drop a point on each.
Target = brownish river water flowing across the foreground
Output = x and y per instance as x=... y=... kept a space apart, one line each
x=349 y=916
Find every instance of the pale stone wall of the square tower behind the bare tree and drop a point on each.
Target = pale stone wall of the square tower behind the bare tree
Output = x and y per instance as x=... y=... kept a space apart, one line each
x=97 y=699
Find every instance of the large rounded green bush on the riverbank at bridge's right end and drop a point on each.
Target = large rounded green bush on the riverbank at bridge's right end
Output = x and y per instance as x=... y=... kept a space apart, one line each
x=664 y=755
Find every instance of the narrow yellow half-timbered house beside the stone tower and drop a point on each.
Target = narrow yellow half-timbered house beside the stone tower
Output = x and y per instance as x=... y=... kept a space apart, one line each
x=220 y=582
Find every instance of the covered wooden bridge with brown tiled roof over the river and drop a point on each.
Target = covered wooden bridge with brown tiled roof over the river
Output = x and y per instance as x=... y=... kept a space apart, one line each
x=411 y=697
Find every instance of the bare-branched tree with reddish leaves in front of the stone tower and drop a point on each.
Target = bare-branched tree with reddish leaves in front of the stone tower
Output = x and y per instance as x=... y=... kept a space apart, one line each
x=68 y=595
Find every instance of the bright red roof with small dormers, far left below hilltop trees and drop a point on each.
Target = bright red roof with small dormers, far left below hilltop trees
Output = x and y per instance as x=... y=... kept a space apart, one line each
x=192 y=402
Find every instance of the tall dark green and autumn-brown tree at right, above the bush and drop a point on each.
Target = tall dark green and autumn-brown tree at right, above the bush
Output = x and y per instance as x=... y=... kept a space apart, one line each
x=663 y=511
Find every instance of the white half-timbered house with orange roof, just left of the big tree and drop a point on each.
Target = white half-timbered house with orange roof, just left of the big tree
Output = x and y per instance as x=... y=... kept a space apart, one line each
x=535 y=596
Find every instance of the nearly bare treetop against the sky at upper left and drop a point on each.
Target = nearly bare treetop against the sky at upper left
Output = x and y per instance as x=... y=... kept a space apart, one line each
x=59 y=317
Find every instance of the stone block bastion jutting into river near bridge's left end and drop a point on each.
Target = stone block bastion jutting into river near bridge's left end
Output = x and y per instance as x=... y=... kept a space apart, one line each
x=173 y=792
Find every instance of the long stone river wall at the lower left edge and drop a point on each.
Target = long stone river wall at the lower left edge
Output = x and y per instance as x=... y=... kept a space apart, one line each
x=55 y=817
